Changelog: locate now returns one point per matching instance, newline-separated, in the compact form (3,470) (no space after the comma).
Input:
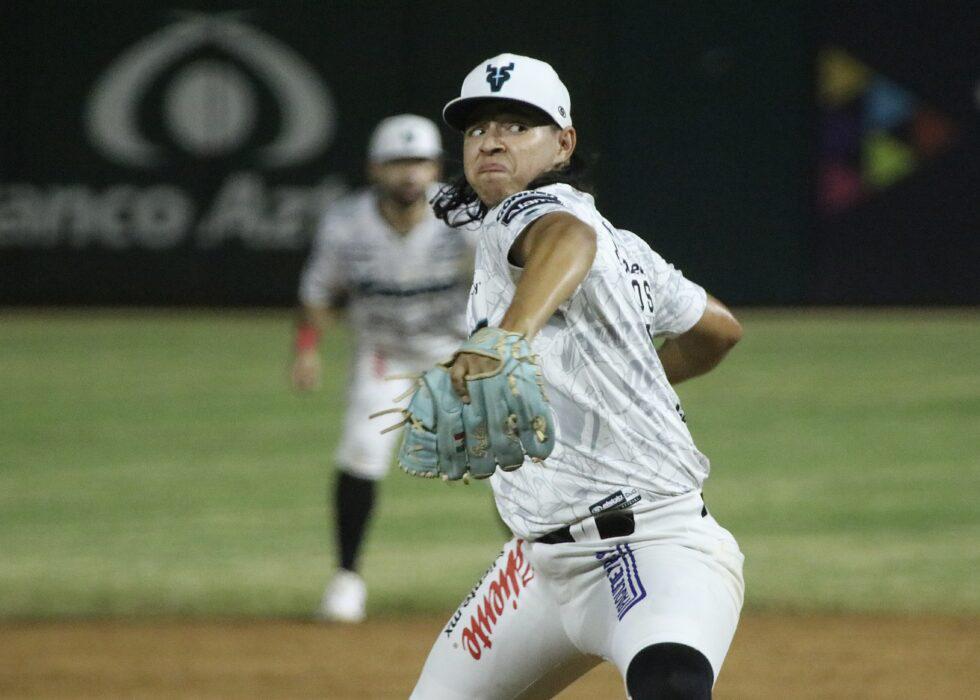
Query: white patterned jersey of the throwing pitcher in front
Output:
(621,437)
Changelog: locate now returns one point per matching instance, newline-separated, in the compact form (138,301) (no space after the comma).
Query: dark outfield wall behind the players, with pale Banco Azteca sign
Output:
(153,154)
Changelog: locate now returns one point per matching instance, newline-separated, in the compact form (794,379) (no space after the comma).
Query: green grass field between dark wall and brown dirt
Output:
(156,463)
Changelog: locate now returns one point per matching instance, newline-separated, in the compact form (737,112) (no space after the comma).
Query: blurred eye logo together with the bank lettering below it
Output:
(211,90)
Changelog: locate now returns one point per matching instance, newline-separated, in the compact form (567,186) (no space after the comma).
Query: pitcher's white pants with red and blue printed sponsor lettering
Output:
(546,613)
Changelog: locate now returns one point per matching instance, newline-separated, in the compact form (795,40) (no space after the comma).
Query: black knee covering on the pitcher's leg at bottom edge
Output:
(669,672)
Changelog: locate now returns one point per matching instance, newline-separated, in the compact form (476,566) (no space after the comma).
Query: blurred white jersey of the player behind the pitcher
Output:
(406,293)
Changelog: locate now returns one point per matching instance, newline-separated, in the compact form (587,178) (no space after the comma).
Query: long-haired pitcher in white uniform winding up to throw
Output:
(616,556)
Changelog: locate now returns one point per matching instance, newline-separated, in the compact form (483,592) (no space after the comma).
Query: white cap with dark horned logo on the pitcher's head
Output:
(511,77)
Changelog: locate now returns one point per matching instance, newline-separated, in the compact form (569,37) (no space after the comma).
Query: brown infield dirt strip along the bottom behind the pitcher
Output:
(773,656)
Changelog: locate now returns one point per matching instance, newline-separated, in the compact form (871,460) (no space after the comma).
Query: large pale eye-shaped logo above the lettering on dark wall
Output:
(210,106)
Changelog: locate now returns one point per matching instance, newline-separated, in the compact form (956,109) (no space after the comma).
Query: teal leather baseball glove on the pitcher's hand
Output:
(507,418)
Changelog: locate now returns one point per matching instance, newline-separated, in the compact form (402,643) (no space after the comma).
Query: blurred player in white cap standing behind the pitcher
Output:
(404,275)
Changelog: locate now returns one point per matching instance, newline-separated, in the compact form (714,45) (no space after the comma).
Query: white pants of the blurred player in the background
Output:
(363,451)
